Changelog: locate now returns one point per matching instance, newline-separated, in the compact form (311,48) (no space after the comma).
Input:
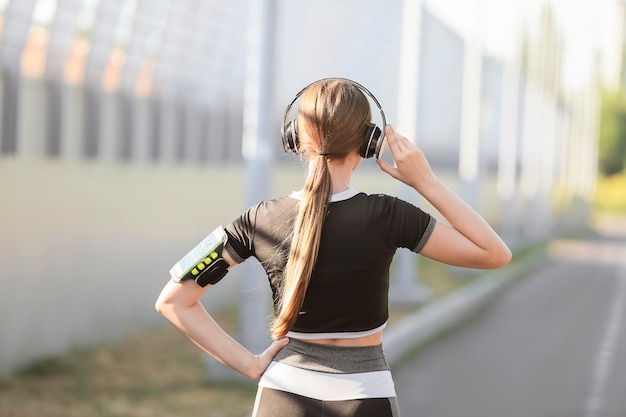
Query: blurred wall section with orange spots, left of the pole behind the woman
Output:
(121,79)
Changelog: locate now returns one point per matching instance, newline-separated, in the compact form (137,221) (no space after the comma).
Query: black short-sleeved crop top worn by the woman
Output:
(348,288)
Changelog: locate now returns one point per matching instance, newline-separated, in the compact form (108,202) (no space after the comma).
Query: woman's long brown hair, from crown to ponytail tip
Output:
(332,121)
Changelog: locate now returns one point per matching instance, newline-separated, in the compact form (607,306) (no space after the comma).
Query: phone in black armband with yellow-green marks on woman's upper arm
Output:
(204,263)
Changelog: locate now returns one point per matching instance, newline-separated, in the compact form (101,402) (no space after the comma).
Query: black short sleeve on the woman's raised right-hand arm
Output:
(410,226)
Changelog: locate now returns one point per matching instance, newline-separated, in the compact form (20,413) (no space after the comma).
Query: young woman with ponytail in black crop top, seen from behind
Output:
(327,250)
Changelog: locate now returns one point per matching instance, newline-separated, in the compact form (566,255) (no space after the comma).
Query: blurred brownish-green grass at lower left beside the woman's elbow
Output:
(150,373)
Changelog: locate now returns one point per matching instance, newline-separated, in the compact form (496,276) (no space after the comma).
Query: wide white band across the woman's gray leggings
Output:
(326,386)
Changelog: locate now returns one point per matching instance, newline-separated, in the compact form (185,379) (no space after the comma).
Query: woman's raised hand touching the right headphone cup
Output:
(411,166)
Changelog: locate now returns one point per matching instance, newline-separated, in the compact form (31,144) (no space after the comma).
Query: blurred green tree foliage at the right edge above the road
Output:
(612,151)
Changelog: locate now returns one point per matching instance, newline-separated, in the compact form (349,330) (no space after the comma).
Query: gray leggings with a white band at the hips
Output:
(279,396)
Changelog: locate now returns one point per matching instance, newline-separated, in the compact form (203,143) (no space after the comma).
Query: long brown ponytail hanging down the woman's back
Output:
(304,246)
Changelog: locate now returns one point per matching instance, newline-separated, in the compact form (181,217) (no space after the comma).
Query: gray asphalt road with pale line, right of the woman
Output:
(553,345)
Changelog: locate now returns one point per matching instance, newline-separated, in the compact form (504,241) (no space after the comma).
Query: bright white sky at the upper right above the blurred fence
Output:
(586,25)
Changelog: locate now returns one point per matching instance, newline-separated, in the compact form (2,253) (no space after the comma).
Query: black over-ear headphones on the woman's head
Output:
(374,136)
